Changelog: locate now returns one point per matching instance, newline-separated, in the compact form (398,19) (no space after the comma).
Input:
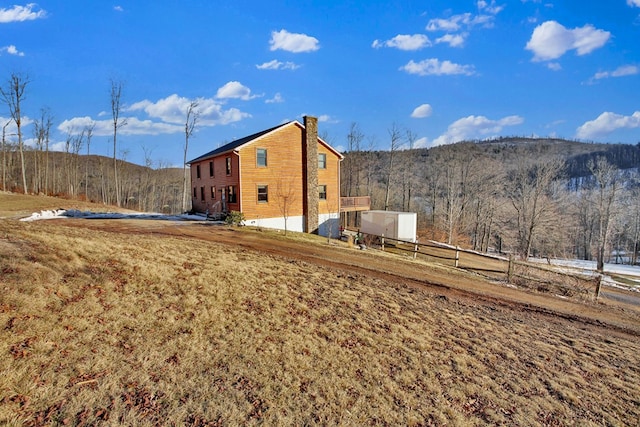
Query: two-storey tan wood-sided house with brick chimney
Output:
(283,177)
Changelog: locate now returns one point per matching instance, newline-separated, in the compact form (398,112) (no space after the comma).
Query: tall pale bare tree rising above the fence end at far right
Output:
(607,187)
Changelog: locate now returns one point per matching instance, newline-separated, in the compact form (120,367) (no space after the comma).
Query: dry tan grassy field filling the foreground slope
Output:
(105,328)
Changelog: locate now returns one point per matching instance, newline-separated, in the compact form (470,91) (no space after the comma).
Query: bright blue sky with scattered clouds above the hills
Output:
(445,70)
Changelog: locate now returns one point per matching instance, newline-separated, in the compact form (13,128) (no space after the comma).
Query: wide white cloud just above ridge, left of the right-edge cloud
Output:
(475,127)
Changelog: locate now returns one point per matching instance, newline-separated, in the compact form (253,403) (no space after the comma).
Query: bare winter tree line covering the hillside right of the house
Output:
(525,196)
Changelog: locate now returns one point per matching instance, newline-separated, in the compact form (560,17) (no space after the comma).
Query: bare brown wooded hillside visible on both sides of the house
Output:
(541,197)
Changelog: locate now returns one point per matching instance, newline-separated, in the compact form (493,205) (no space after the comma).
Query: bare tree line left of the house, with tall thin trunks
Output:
(75,172)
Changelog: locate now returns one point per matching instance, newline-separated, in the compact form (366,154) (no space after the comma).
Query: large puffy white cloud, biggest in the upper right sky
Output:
(550,40)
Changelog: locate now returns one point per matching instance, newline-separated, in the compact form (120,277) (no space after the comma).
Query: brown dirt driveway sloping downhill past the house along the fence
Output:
(615,311)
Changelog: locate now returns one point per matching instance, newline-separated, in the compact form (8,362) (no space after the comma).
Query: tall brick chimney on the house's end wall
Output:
(311,203)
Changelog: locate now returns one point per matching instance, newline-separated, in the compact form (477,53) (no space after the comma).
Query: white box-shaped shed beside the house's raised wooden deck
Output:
(394,225)
